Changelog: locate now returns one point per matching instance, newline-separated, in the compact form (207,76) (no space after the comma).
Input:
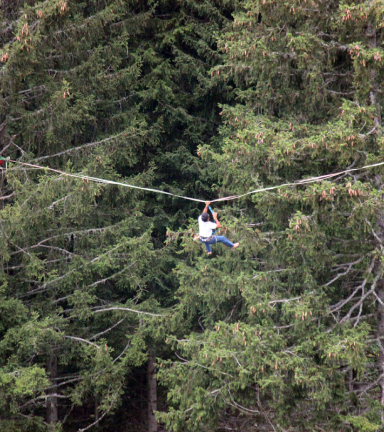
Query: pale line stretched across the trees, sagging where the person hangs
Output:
(228,198)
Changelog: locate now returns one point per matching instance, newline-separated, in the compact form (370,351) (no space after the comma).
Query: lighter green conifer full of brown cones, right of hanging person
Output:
(287,334)
